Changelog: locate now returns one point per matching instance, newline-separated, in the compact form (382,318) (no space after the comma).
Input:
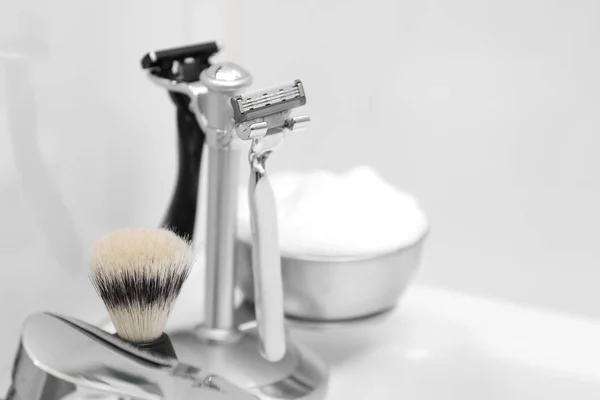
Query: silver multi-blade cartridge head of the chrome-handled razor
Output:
(260,104)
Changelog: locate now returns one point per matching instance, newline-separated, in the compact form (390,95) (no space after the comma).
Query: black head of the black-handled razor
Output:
(180,63)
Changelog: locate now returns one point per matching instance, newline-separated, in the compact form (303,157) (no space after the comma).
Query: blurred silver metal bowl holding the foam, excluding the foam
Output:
(342,289)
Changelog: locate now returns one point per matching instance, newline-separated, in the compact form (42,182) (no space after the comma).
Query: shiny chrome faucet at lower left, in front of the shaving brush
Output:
(58,355)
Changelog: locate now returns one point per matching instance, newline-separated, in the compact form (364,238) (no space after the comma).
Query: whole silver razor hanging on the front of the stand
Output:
(264,117)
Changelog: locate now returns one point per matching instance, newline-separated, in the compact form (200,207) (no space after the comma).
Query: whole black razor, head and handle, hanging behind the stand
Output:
(189,61)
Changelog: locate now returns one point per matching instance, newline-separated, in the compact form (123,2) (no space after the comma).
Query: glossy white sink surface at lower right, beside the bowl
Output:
(443,345)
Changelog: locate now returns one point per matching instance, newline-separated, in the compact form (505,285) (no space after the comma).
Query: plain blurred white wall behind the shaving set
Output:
(486,110)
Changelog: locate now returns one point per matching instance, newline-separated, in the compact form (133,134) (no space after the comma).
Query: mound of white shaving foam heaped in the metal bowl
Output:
(324,214)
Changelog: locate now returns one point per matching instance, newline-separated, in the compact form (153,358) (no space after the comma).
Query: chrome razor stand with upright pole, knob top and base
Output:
(227,342)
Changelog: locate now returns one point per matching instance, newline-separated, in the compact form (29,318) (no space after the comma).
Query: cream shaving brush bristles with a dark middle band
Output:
(138,274)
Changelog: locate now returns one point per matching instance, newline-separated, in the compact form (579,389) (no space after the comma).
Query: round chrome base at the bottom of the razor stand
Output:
(299,375)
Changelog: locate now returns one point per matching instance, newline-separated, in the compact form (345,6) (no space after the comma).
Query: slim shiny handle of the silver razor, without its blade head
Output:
(266,261)
